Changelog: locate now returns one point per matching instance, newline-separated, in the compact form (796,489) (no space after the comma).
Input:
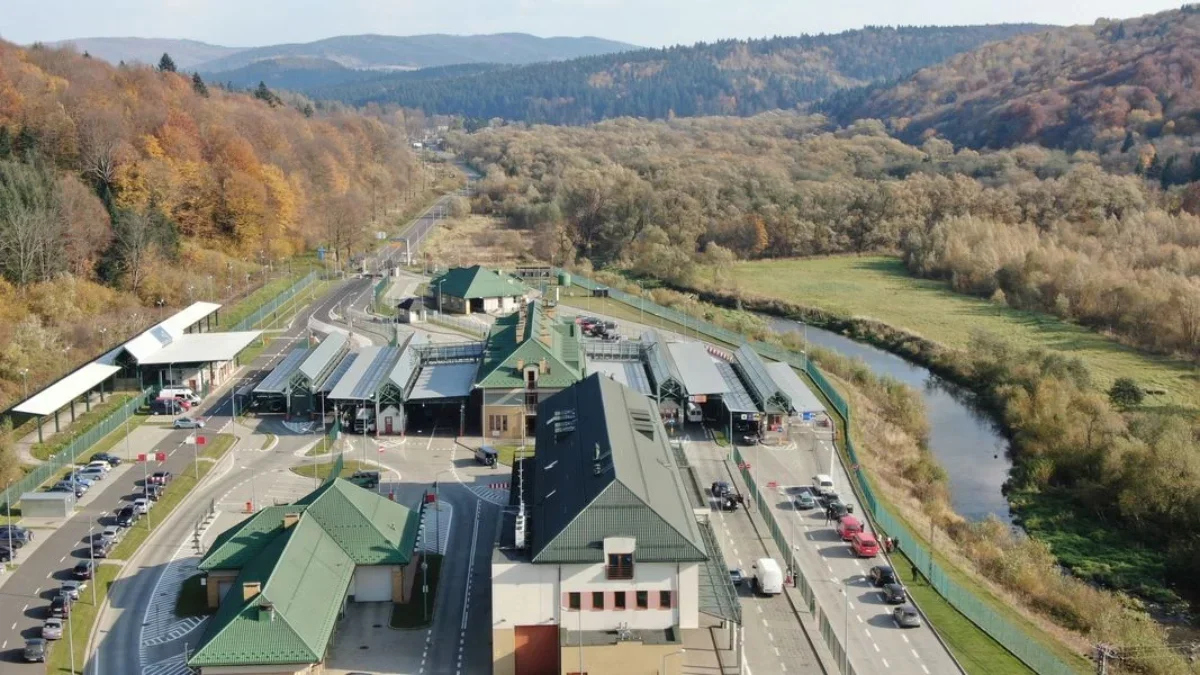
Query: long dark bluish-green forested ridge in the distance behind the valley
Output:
(723,79)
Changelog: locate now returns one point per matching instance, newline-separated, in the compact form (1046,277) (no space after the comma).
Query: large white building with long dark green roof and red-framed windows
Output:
(609,551)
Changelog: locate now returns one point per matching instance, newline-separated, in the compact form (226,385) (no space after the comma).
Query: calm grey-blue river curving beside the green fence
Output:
(964,440)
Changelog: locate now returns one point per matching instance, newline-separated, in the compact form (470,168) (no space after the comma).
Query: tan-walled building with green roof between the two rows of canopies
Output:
(529,356)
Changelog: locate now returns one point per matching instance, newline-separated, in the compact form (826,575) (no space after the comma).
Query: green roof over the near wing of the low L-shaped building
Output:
(304,576)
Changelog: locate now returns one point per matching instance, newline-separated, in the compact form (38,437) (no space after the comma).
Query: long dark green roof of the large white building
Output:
(605,469)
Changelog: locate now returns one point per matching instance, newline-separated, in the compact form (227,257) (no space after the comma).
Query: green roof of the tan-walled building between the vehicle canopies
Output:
(543,336)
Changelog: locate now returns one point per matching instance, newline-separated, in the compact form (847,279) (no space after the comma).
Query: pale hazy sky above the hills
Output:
(649,23)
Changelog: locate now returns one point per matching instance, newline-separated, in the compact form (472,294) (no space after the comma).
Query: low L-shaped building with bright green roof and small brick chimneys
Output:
(280,580)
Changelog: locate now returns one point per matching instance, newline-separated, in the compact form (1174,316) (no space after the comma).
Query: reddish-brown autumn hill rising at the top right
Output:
(1109,87)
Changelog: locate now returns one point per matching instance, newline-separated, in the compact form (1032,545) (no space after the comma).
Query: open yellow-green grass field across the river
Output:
(880,288)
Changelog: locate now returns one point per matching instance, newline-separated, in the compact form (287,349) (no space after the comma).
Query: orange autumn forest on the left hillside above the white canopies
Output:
(127,192)
